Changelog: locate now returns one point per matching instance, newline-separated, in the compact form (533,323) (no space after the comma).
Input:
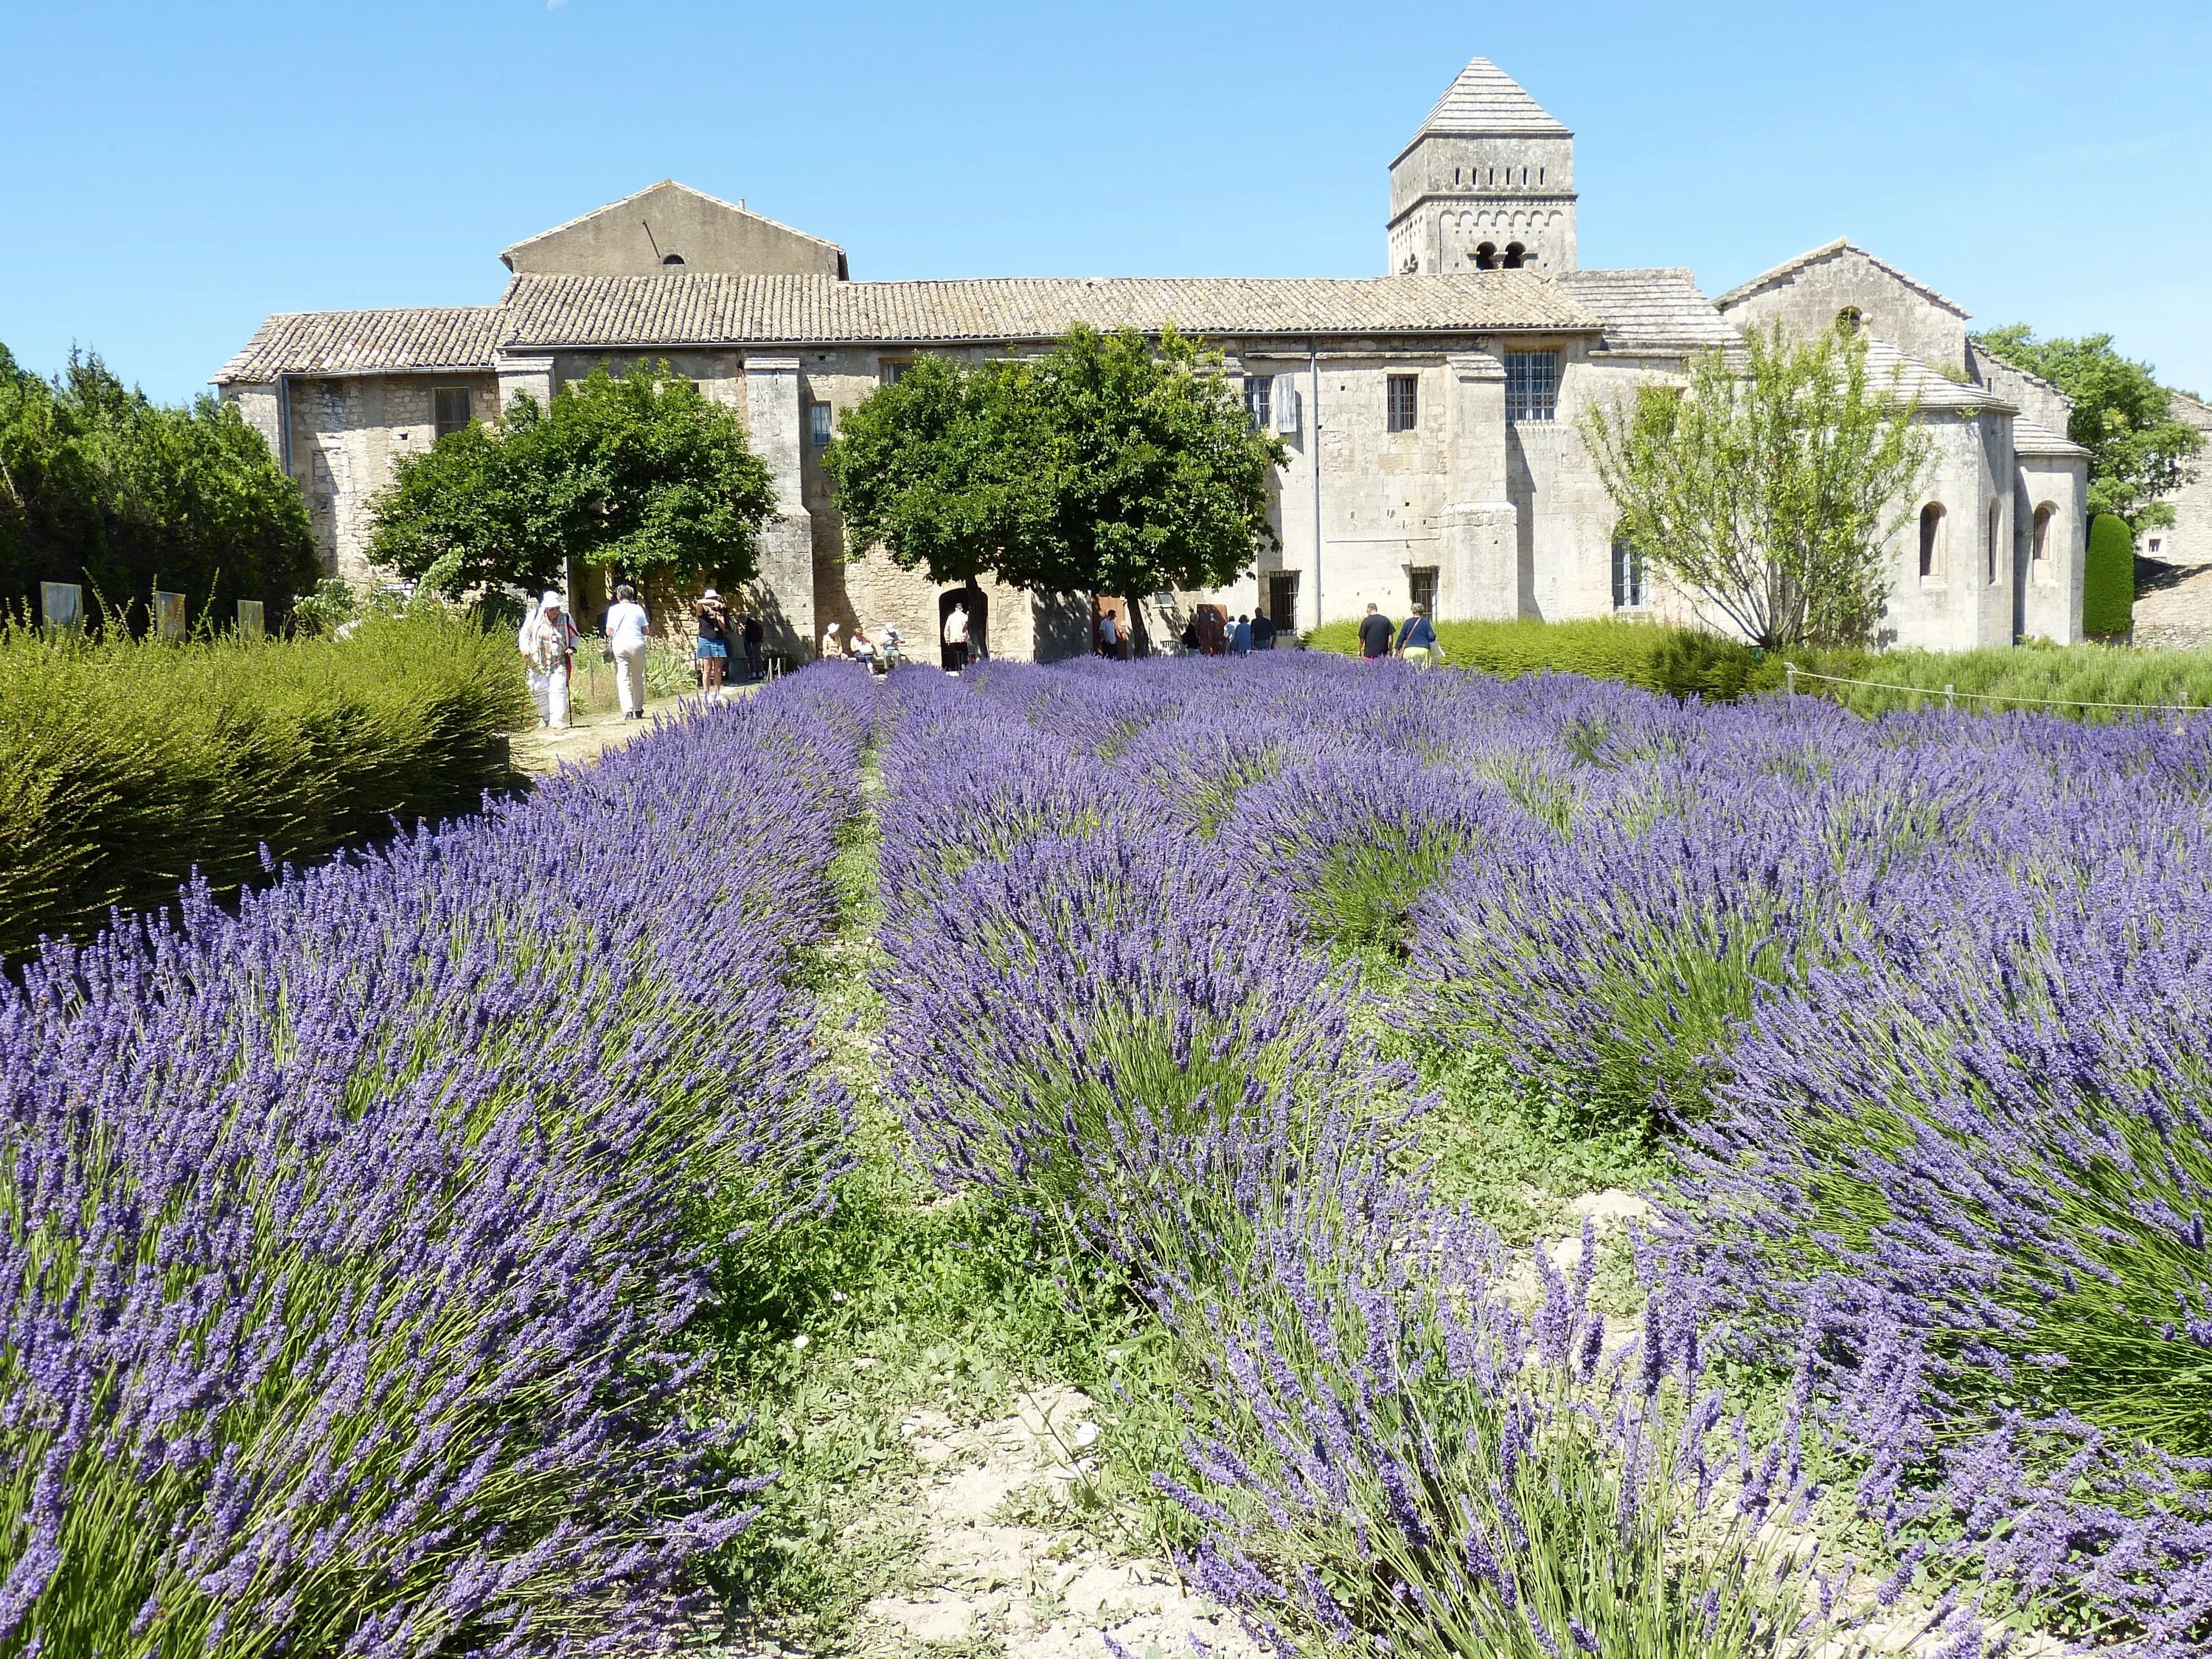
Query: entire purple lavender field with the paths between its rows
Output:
(1510,1169)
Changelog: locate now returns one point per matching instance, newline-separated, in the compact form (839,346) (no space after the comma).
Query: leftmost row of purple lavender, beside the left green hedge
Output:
(351,1242)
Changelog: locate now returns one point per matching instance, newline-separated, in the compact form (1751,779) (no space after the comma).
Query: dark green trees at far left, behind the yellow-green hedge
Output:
(123,497)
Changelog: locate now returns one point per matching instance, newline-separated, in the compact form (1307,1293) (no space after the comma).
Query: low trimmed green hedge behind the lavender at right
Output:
(1687,662)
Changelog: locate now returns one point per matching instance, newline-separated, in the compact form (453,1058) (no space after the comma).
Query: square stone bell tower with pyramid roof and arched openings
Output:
(1485,185)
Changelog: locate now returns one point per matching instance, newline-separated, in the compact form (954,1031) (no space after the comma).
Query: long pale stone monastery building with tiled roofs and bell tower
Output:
(1430,415)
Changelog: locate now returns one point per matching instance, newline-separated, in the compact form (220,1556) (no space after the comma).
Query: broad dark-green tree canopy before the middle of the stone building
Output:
(1107,466)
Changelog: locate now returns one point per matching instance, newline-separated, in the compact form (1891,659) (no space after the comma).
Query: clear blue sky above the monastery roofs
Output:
(176,171)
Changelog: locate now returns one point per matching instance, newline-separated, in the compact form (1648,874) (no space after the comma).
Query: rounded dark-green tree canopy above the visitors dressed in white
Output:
(634,472)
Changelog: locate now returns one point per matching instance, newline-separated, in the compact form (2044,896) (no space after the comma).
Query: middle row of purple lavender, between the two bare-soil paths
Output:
(1103,1008)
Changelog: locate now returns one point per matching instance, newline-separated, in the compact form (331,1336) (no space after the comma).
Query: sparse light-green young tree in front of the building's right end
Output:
(1768,490)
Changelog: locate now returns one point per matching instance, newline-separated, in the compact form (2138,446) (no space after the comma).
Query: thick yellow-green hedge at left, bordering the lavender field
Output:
(125,764)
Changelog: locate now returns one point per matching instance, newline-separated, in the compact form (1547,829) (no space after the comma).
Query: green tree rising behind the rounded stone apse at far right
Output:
(2120,415)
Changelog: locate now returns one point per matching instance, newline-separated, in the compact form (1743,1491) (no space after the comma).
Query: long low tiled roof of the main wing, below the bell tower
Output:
(804,311)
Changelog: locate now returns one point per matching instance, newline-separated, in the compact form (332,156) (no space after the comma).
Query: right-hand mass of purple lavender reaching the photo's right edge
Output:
(1926,1003)
